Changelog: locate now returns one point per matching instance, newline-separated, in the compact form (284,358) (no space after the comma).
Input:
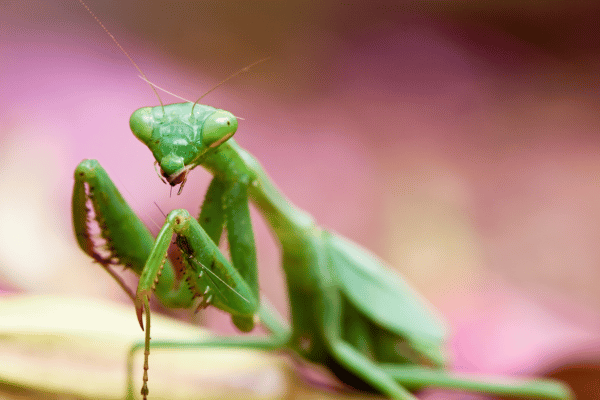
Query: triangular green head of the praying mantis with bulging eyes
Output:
(180,135)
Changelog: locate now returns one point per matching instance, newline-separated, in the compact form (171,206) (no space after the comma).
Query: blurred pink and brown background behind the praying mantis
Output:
(459,141)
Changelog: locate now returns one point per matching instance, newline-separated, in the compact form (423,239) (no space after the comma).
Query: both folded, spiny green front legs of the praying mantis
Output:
(121,238)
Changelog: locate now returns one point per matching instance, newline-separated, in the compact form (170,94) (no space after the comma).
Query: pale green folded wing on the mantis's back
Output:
(382,295)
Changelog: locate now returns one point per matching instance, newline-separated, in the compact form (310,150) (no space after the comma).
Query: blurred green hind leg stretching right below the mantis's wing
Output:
(355,366)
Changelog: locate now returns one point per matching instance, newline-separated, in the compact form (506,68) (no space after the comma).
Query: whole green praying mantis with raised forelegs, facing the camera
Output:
(349,312)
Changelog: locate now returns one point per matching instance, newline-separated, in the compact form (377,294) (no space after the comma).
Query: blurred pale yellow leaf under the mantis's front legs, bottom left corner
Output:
(59,347)
